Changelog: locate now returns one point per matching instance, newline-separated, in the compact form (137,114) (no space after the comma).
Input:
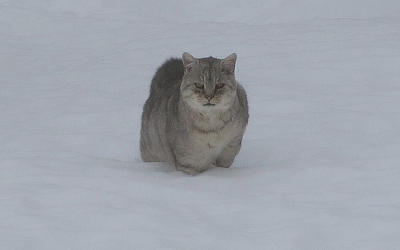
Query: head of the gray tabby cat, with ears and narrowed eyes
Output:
(209,83)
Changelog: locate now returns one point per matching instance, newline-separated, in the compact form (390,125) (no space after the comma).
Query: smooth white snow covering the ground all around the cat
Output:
(319,166)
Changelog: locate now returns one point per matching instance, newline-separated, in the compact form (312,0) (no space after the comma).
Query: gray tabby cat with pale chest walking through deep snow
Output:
(196,114)
